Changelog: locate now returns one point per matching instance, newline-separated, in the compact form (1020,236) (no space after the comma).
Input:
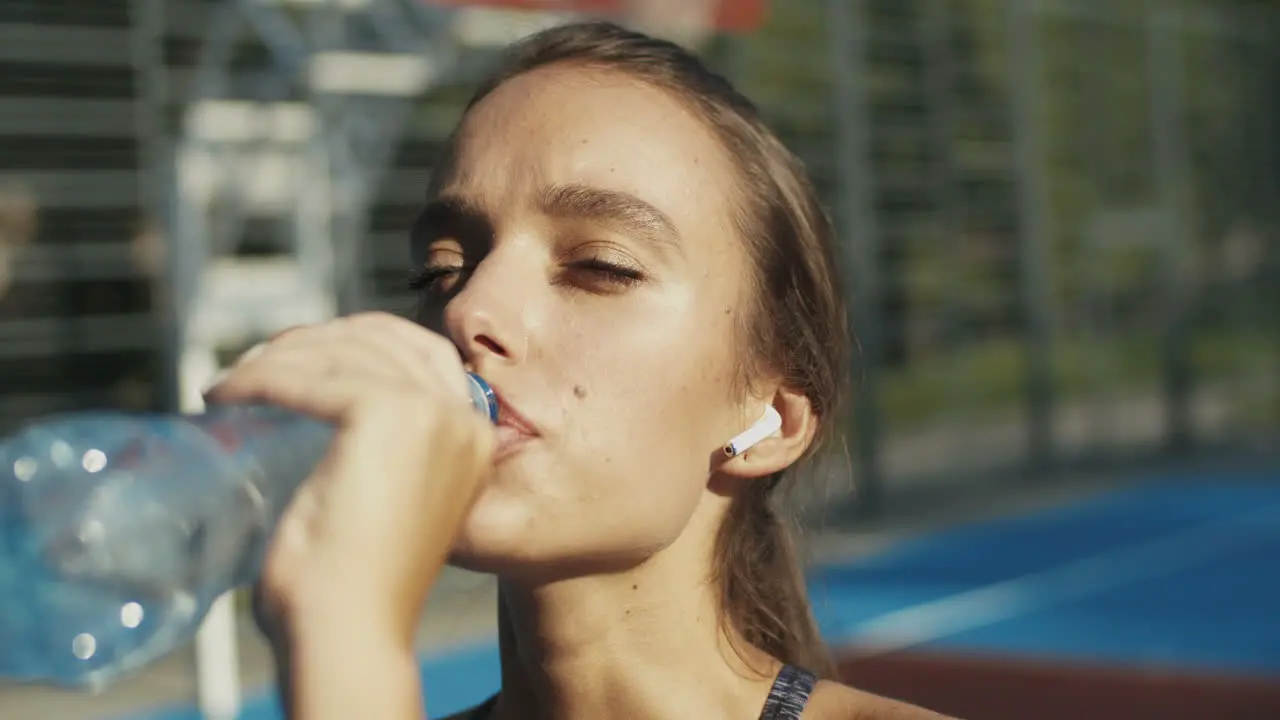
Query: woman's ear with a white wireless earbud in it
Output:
(781,446)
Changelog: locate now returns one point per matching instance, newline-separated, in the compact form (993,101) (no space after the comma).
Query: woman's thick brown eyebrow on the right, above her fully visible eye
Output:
(624,211)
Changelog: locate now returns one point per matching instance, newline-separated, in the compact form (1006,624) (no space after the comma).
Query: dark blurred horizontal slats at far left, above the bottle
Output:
(76,322)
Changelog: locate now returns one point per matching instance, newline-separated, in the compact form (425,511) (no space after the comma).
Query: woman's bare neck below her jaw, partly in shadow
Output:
(643,644)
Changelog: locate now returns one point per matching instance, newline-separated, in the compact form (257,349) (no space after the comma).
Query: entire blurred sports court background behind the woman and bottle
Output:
(1059,493)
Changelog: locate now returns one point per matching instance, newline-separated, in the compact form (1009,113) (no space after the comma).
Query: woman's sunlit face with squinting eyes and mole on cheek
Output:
(584,261)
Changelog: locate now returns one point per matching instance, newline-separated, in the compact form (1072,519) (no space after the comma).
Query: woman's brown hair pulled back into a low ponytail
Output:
(794,329)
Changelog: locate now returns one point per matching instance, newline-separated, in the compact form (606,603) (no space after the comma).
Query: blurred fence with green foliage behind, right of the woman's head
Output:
(1059,222)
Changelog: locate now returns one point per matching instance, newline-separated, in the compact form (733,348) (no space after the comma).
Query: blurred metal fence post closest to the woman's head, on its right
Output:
(858,227)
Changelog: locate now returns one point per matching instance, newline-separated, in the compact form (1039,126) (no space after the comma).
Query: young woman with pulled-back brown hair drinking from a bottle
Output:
(643,272)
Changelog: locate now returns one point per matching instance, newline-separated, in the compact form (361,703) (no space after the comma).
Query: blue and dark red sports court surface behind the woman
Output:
(1160,600)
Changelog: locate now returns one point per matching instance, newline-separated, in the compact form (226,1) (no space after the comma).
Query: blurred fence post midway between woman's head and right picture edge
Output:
(1034,238)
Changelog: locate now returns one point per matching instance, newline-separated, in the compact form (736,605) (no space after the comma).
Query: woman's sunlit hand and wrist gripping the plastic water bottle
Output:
(368,534)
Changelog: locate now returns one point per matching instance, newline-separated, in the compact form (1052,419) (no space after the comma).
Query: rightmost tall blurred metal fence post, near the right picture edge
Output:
(1169,157)
